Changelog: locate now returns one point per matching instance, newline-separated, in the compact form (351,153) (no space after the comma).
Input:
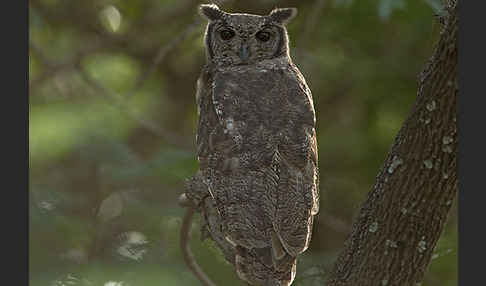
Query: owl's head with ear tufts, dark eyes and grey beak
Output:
(243,39)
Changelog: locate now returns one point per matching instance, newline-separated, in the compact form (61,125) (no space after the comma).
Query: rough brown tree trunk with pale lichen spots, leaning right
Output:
(394,235)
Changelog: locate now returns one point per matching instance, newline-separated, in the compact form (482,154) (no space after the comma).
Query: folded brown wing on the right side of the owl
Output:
(297,195)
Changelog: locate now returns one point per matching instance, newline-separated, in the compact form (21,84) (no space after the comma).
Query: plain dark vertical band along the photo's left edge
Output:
(15,116)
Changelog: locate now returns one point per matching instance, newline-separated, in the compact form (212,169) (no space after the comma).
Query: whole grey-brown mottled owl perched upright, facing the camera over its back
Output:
(256,145)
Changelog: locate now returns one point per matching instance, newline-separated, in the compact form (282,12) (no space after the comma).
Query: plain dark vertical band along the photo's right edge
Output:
(470,212)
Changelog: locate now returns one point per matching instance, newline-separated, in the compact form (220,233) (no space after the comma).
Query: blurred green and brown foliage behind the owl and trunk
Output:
(112,119)
